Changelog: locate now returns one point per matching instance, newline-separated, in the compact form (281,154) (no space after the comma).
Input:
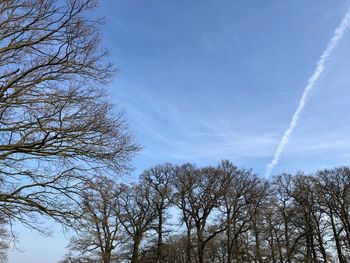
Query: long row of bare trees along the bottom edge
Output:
(219,214)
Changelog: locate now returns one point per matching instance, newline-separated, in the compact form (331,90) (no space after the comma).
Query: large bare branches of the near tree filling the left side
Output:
(56,124)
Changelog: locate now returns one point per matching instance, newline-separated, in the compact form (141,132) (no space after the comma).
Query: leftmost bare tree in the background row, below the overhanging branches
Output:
(98,230)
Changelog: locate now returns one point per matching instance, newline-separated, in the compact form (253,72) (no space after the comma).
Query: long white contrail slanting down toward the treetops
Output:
(320,67)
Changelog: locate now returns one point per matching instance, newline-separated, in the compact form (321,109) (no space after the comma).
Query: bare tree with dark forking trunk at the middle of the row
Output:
(198,196)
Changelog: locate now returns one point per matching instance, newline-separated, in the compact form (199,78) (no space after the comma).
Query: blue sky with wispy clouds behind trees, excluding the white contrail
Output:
(202,81)
